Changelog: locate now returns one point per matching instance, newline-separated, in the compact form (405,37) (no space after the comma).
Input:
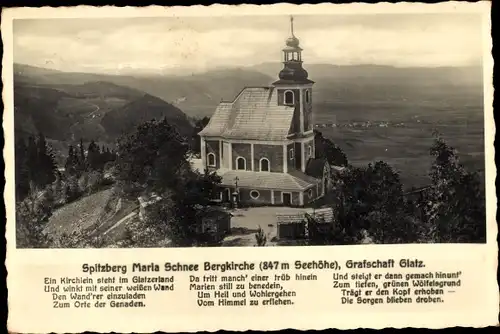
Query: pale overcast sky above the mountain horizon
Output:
(170,44)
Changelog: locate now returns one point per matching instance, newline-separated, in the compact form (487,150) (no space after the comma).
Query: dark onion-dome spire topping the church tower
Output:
(292,71)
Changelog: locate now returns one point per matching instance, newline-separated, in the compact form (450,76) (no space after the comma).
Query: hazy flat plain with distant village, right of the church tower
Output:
(406,141)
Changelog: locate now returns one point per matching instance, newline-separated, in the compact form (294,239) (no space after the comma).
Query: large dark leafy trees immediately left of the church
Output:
(153,159)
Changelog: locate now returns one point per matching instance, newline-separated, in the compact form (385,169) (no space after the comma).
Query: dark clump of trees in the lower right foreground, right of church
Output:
(369,202)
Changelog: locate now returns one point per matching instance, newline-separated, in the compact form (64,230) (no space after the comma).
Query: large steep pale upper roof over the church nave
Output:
(254,114)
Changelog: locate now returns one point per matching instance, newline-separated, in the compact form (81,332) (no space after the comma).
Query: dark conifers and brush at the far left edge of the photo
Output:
(42,186)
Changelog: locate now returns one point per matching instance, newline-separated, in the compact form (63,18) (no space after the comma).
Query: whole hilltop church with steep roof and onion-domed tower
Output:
(262,142)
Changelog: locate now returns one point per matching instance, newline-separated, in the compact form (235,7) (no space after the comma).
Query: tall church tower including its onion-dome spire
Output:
(295,89)
